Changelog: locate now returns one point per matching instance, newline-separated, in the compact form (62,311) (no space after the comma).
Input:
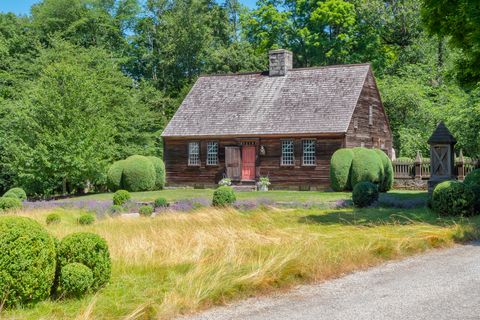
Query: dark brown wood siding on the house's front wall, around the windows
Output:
(316,177)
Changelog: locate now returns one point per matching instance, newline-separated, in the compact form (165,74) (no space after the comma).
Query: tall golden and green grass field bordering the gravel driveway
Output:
(184,262)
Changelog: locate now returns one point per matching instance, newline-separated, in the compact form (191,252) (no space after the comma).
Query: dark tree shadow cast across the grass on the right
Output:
(371,217)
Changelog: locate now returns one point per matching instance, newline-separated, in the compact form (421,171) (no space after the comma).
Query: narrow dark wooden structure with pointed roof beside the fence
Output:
(442,156)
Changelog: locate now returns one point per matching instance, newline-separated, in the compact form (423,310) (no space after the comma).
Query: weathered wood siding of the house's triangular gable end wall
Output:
(360,132)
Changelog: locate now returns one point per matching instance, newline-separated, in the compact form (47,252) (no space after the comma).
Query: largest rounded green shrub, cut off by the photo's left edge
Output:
(27,262)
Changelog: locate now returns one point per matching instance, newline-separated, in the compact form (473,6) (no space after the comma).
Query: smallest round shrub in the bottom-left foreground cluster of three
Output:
(75,280)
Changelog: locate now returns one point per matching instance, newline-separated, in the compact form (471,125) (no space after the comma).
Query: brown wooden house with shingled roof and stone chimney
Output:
(285,124)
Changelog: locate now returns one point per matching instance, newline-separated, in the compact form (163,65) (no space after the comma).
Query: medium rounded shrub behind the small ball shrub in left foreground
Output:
(89,249)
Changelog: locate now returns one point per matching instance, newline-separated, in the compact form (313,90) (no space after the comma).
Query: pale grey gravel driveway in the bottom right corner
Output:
(442,284)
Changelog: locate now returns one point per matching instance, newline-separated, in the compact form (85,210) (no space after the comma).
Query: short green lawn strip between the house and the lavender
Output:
(274,195)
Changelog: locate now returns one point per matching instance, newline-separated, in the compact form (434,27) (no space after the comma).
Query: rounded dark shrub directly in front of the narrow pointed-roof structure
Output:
(453,198)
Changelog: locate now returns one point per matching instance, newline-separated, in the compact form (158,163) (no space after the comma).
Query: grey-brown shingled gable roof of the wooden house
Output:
(304,101)
